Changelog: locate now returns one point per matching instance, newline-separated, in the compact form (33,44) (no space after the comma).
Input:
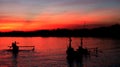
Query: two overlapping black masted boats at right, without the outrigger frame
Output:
(72,54)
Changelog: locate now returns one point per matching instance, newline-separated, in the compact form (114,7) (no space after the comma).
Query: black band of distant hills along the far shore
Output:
(110,31)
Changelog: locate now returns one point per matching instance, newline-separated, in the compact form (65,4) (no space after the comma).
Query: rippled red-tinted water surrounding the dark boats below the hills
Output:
(51,52)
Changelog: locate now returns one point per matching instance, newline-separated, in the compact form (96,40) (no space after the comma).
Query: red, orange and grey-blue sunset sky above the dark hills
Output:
(28,15)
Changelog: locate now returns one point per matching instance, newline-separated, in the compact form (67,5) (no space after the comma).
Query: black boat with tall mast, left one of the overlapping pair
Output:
(70,51)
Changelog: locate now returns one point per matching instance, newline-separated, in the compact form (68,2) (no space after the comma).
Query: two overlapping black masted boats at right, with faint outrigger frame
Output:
(80,52)
